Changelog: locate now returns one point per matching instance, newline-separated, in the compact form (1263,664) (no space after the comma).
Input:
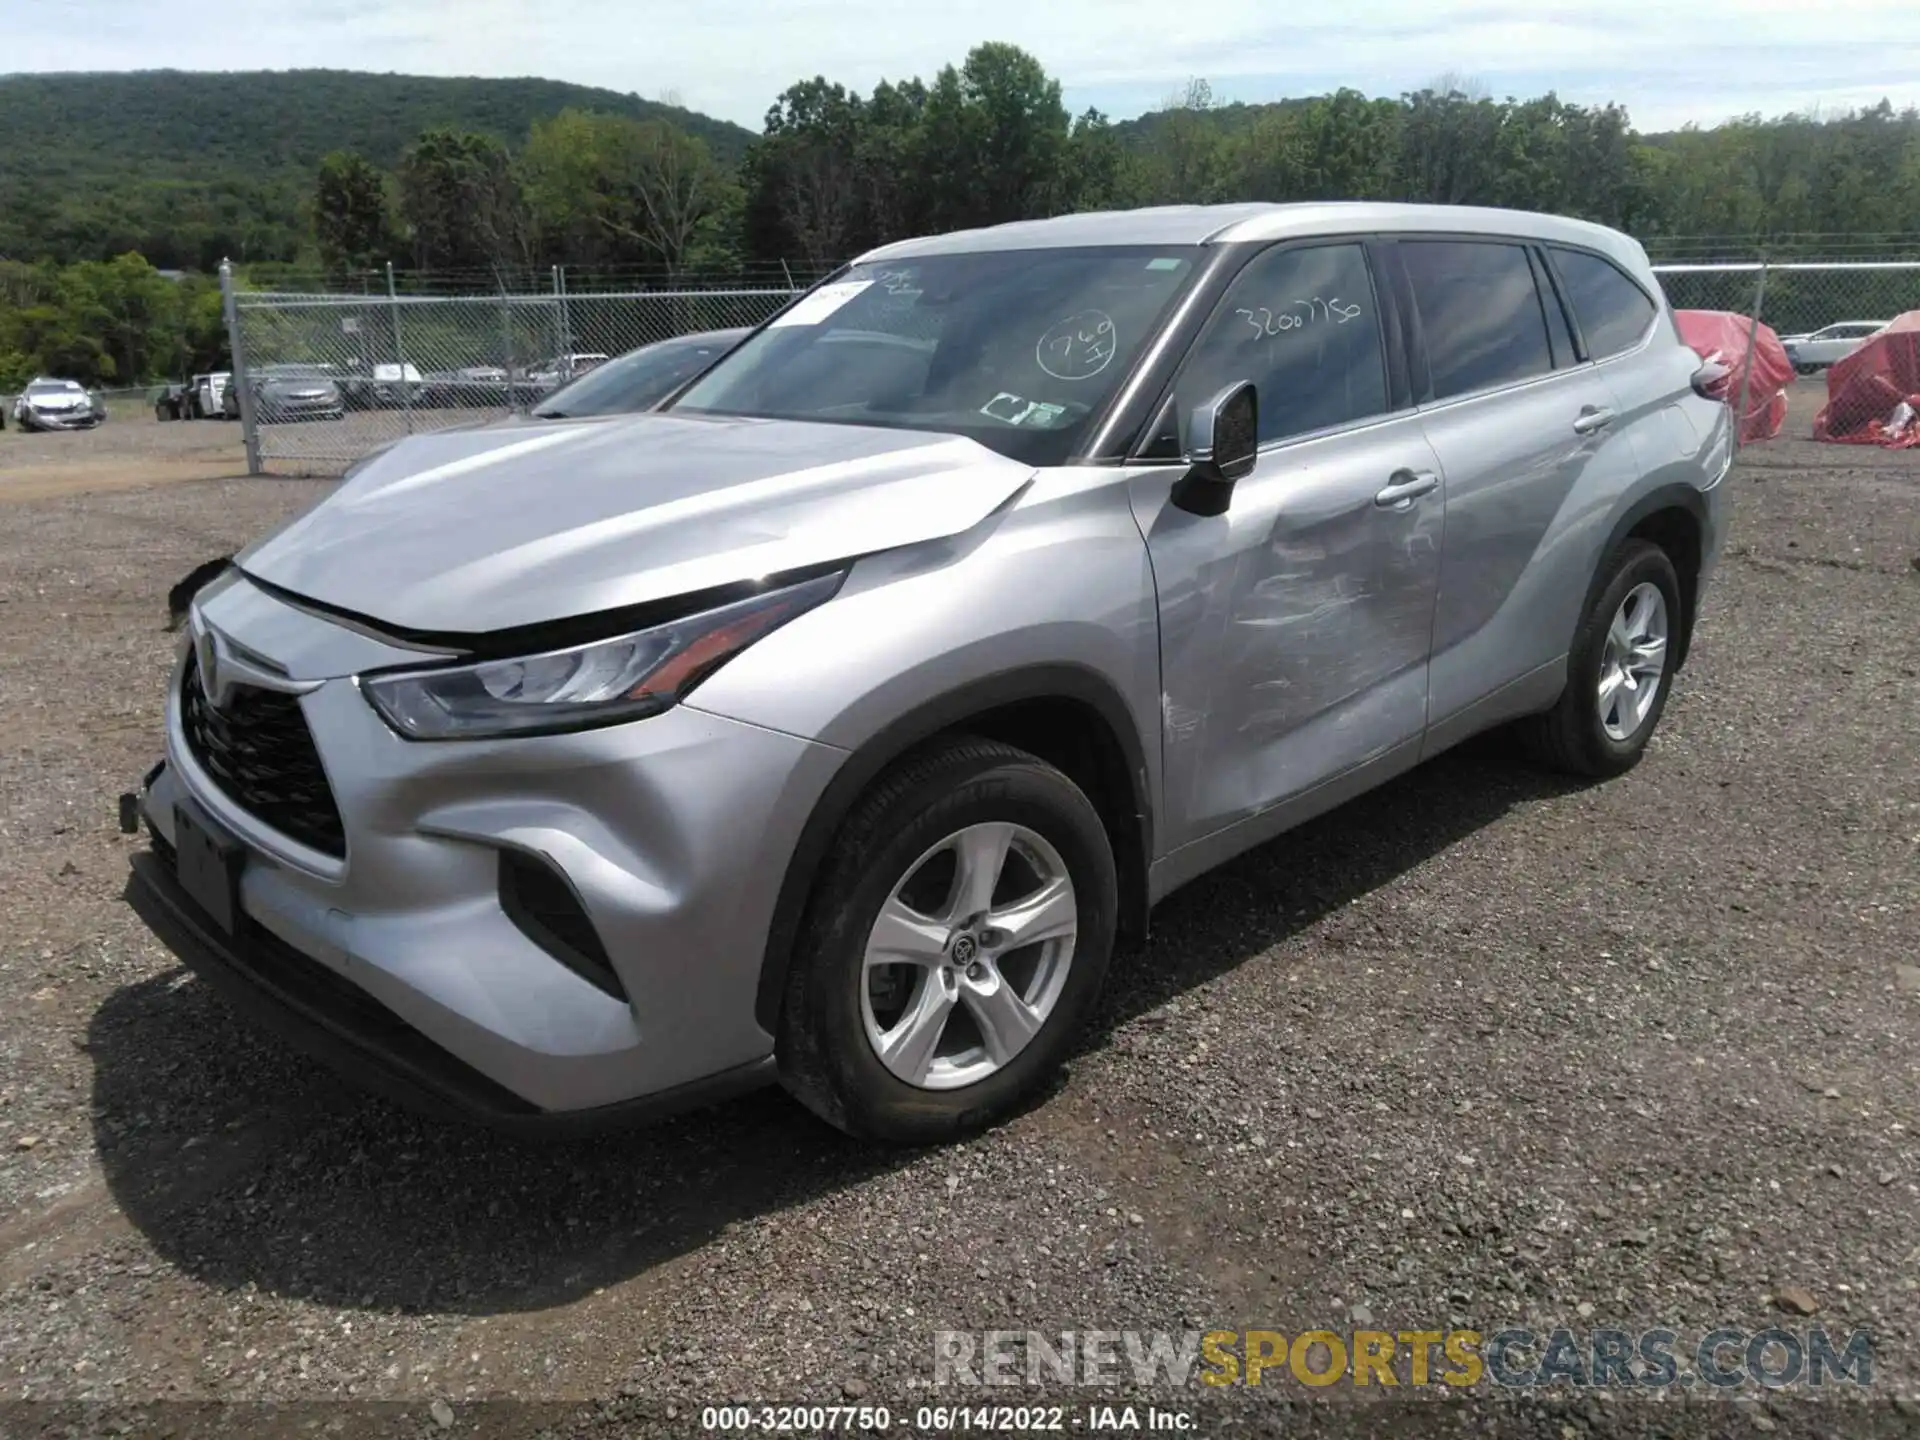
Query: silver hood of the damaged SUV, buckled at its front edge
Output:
(475,531)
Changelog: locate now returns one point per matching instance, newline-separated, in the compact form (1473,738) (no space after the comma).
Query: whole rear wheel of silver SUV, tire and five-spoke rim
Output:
(1620,671)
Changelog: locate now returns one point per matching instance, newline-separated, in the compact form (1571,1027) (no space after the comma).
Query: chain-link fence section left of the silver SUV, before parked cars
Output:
(324,379)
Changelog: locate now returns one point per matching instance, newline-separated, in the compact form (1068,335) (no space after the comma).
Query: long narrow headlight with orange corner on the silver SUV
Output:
(600,684)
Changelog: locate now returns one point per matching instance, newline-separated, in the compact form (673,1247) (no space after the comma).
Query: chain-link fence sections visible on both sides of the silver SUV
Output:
(335,375)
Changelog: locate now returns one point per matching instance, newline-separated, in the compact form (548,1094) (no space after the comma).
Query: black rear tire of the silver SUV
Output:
(1575,736)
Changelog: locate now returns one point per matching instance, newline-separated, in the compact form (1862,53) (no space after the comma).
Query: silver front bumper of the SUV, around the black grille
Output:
(398,961)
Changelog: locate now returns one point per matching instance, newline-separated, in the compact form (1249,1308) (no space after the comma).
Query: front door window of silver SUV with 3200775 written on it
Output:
(1305,327)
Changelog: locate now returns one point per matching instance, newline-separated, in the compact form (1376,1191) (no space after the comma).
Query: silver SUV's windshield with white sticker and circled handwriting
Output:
(1013,348)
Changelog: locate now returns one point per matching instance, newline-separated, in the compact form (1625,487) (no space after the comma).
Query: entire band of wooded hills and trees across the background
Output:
(322,178)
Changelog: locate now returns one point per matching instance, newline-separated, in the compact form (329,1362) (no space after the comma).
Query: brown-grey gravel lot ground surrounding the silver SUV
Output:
(1481,1049)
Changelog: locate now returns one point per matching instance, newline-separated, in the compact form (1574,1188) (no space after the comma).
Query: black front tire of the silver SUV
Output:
(894,840)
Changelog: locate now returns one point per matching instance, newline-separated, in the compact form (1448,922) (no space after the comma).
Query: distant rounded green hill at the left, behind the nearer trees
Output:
(195,166)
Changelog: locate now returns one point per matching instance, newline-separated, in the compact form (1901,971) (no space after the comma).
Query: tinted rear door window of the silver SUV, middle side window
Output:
(1481,314)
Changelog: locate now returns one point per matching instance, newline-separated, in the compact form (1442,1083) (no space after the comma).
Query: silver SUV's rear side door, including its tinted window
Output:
(1531,441)
